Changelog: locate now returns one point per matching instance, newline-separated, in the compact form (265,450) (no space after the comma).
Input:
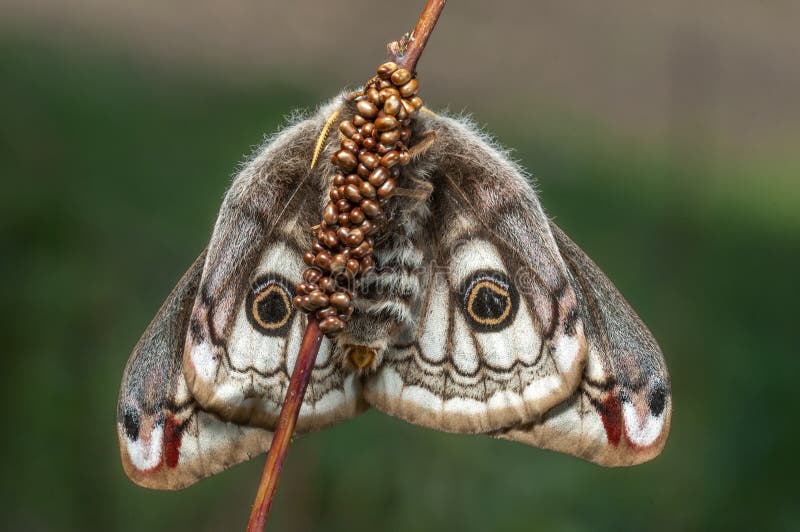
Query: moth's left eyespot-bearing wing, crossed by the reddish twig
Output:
(245,333)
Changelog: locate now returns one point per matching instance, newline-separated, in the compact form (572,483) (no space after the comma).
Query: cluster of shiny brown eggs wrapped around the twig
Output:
(372,151)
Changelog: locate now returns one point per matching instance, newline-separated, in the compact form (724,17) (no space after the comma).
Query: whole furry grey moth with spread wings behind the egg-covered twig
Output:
(482,317)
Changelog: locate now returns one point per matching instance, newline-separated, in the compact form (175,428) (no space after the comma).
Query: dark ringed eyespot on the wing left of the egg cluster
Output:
(269,305)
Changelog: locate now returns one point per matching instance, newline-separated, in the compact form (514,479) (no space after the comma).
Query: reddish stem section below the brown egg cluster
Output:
(286,423)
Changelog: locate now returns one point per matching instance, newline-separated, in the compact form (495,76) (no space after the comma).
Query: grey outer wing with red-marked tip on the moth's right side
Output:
(621,413)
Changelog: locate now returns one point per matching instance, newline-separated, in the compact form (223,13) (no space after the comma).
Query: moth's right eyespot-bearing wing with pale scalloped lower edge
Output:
(499,338)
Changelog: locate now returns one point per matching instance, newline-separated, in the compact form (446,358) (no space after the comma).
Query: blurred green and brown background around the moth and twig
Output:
(663,137)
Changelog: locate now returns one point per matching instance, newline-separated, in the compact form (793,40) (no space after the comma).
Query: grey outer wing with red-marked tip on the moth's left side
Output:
(166,441)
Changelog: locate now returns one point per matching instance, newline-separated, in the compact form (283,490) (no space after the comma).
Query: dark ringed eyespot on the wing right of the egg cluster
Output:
(489,300)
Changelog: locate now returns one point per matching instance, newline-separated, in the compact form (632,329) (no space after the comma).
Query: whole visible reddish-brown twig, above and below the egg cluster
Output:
(405,53)
